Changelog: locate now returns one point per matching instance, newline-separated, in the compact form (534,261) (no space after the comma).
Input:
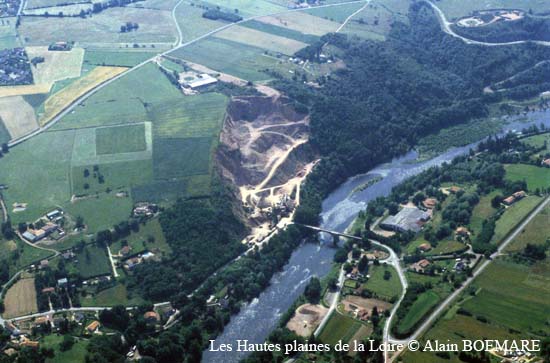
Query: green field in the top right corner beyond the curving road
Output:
(454,9)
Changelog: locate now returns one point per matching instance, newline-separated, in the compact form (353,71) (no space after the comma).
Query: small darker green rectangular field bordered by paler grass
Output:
(120,139)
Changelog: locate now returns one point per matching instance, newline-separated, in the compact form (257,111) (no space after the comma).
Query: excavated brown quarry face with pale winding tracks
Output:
(259,140)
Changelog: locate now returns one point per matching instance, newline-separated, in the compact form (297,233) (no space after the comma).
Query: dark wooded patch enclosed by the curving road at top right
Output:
(527,28)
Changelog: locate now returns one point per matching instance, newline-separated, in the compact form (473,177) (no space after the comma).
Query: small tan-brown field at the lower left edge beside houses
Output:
(20,299)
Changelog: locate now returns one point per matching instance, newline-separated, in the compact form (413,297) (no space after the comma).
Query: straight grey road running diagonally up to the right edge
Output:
(445,304)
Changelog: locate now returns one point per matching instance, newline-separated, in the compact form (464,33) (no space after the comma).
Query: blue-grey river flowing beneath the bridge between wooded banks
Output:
(258,318)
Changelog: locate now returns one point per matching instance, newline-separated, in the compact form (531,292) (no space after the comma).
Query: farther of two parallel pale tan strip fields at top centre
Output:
(302,22)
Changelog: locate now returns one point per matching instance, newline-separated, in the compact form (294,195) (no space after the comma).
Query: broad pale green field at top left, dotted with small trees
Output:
(155,27)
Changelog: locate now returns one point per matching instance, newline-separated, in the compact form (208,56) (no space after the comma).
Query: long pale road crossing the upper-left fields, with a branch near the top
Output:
(180,45)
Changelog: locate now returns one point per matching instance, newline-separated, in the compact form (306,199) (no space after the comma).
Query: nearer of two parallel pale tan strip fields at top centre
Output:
(261,40)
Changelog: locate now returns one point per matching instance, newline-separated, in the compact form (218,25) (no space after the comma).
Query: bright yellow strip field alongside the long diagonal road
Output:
(62,99)
